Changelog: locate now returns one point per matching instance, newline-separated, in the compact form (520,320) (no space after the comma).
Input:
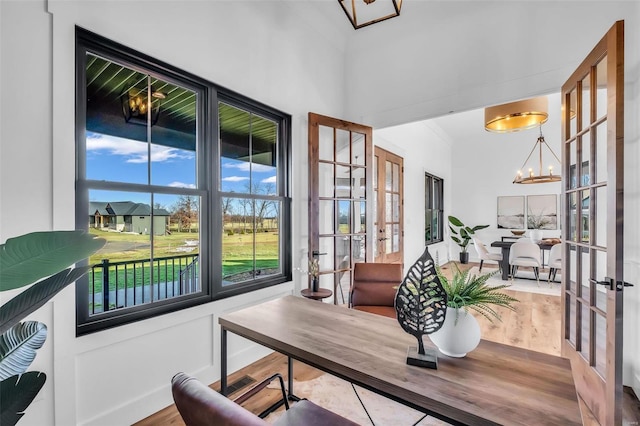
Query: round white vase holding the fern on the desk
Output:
(457,338)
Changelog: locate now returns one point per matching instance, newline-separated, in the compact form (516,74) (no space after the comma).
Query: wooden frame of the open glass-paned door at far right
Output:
(610,389)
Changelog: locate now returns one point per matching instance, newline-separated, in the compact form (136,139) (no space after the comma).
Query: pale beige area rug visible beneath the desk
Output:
(338,396)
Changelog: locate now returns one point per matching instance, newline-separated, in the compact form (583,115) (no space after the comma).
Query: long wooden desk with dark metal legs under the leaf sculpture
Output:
(494,384)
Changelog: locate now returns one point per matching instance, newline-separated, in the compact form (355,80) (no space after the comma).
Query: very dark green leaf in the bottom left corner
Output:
(16,393)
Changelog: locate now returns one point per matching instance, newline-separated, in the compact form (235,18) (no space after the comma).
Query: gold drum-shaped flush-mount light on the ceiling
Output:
(515,116)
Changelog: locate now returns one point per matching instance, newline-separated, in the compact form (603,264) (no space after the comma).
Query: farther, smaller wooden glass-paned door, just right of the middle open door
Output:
(388,171)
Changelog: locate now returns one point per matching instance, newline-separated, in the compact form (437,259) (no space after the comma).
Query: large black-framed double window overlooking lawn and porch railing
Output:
(185,180)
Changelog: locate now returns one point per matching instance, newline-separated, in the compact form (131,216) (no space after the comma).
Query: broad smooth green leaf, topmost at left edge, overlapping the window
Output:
(30,257)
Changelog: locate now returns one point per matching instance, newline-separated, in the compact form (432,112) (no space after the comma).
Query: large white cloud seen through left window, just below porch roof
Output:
(133,151)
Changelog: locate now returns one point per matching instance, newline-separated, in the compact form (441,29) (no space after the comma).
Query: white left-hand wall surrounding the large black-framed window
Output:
(270,51)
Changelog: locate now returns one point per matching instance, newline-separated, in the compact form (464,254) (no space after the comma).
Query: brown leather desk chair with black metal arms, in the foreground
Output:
(199,405)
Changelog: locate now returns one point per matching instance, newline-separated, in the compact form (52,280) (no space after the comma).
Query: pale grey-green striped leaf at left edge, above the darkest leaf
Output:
(18,347)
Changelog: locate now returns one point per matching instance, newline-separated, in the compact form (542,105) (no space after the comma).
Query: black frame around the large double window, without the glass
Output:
(208,159)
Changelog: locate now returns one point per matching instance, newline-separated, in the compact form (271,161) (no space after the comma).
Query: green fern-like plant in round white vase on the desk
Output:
(460,332)
